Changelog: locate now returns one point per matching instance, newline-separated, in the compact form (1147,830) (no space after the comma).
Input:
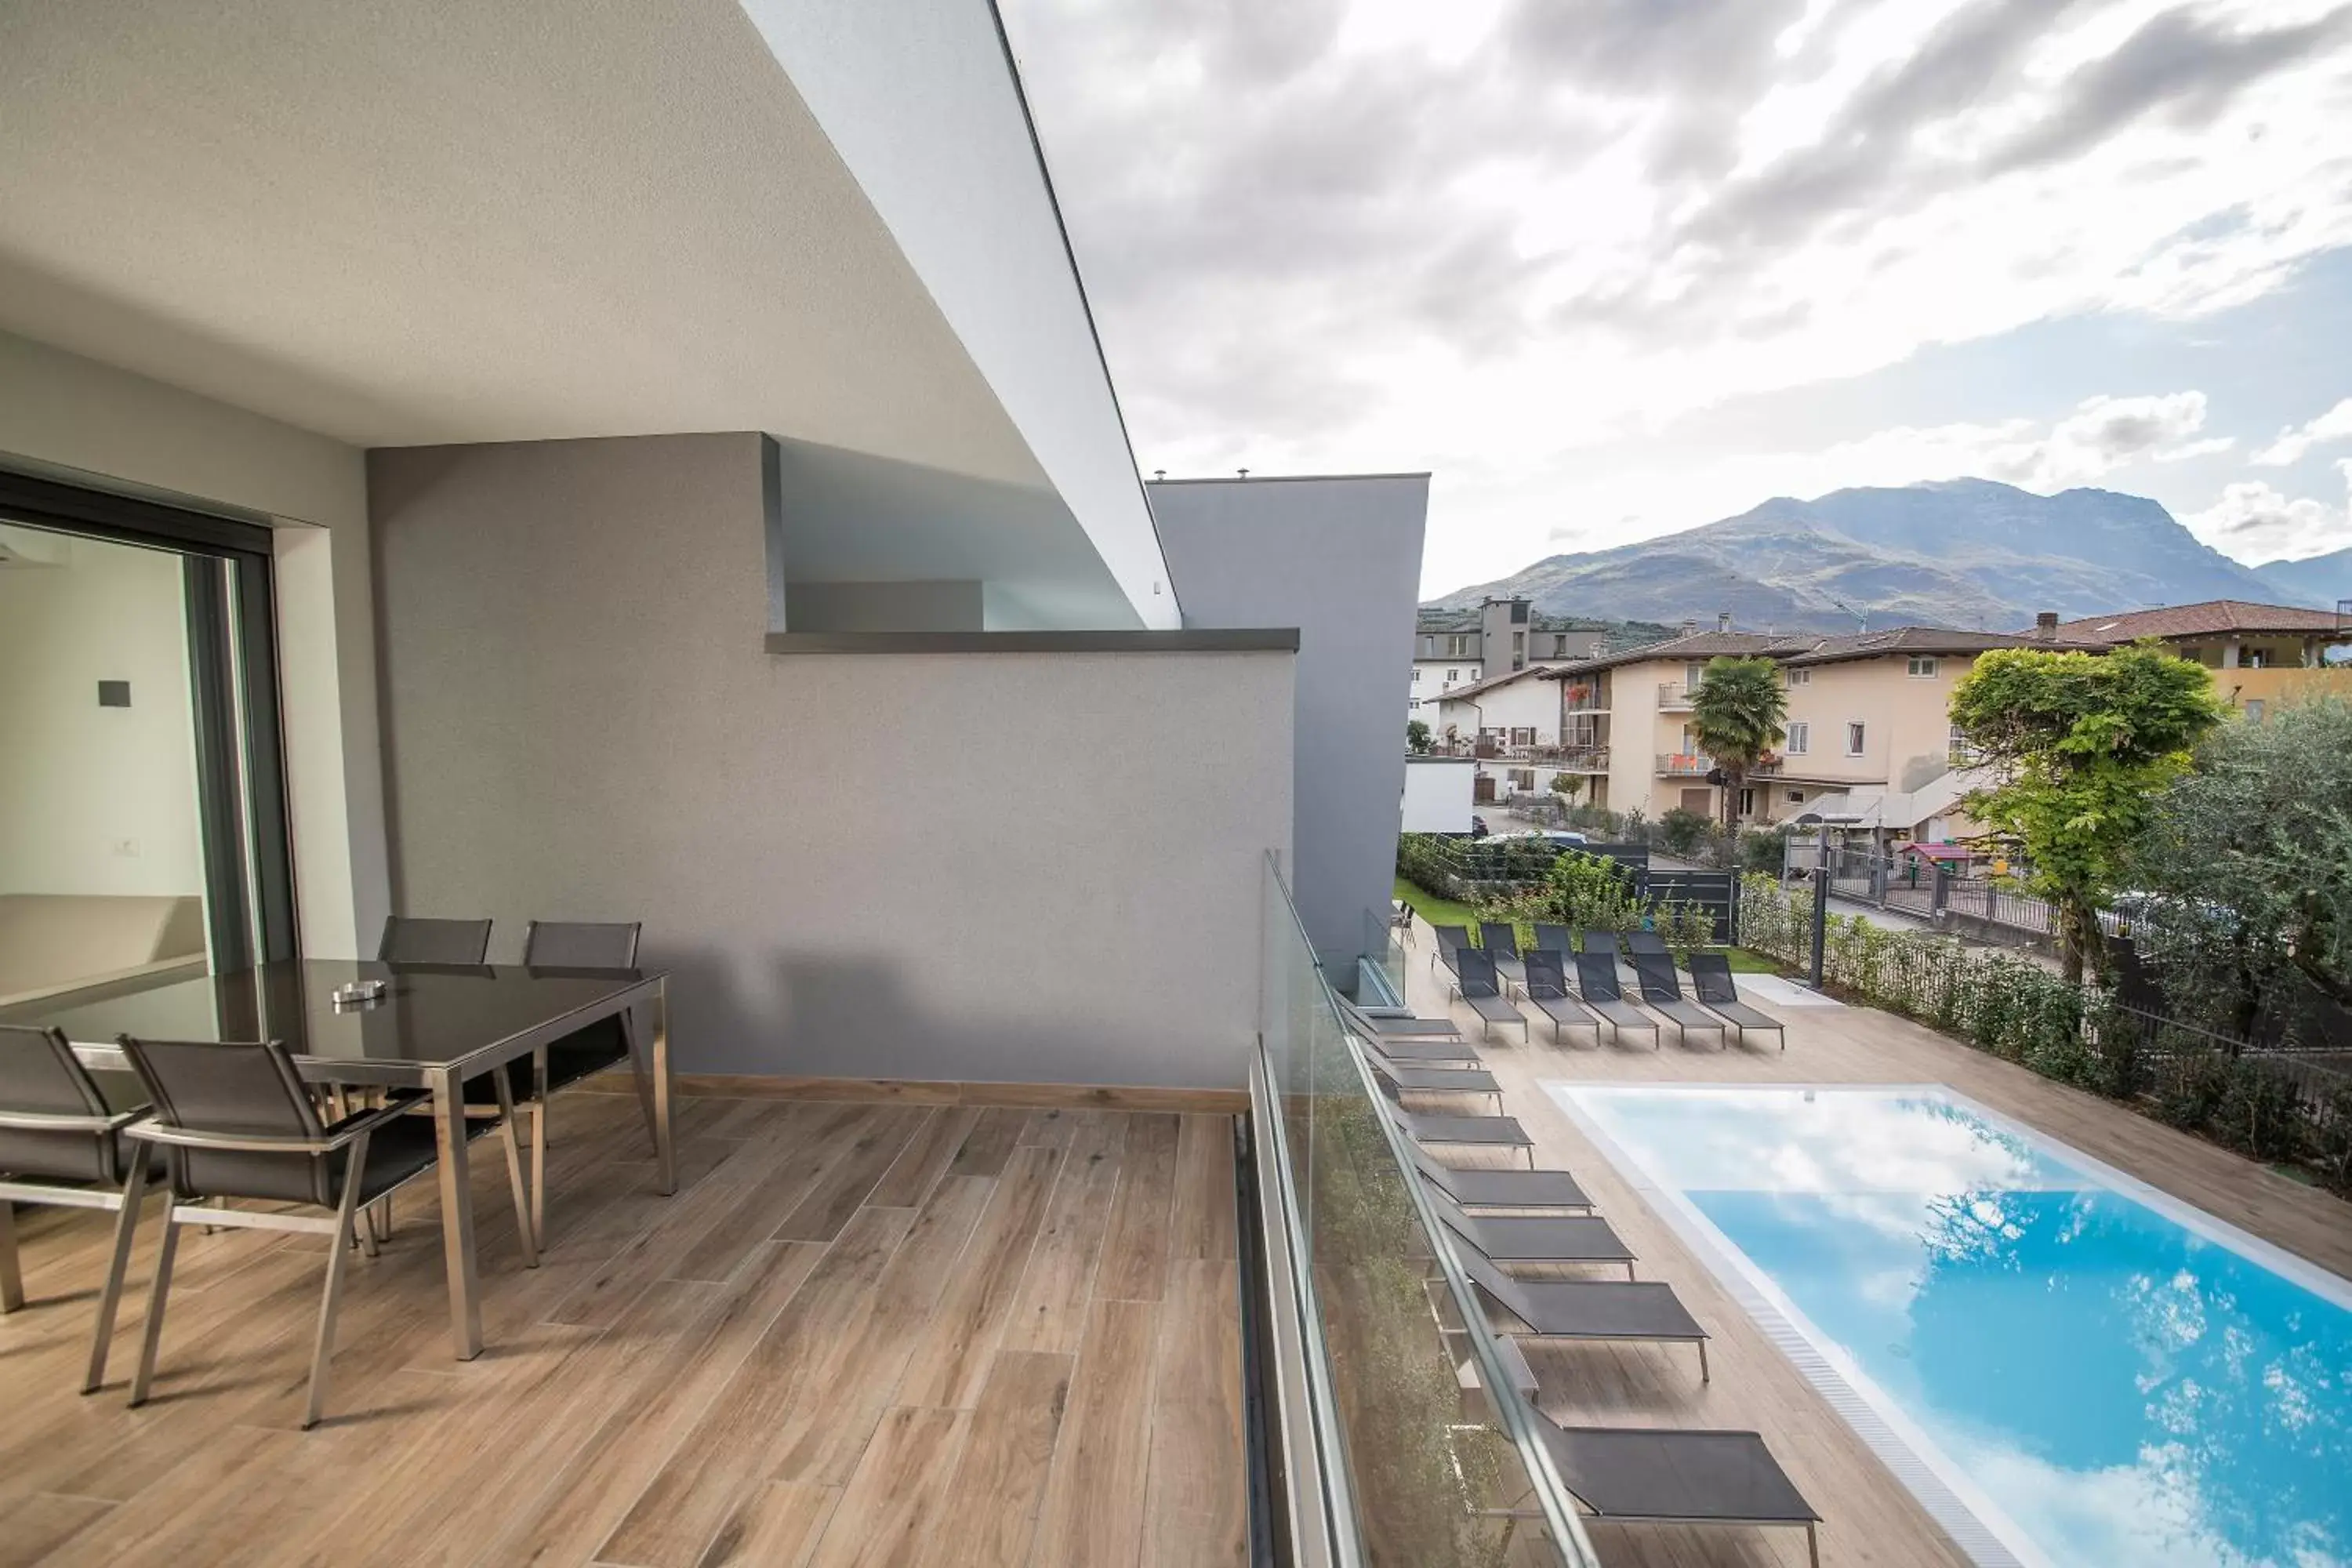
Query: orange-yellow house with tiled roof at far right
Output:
(2259,655)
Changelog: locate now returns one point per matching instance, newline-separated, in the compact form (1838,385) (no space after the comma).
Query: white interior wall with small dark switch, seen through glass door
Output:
(95,800)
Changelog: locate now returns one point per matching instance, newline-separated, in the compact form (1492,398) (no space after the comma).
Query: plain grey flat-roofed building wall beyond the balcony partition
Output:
(1342,561)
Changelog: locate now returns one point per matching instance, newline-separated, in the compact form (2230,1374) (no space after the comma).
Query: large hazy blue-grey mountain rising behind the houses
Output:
(1963,554)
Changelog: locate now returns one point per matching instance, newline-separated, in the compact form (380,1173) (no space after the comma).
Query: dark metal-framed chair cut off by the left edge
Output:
(65,1125)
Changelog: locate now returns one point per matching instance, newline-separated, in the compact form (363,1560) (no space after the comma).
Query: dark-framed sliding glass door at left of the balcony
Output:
(142,798)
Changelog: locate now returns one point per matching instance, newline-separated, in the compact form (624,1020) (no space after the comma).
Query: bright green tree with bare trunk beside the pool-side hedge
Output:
(2080,744)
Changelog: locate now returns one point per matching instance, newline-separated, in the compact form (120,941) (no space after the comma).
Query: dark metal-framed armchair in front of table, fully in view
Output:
(236,1123)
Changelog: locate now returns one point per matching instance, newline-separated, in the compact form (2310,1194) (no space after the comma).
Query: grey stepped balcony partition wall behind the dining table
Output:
(963,866)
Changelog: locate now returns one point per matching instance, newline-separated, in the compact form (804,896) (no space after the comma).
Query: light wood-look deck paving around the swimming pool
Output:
(1869,1515)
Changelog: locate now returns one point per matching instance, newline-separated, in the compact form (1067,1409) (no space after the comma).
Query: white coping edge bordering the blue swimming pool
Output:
(1977,1525)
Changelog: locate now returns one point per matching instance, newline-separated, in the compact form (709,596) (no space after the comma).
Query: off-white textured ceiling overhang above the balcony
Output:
(453,222)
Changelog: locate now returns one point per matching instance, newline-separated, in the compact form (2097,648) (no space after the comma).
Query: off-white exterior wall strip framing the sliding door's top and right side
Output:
(74,417)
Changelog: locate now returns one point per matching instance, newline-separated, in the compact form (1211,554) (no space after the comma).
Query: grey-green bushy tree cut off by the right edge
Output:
(2247,864)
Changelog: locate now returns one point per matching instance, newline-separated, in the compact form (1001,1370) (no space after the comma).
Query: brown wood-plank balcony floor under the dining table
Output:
(860,1334)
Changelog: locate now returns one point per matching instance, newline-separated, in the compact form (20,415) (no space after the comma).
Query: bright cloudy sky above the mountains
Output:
(1624,267)
